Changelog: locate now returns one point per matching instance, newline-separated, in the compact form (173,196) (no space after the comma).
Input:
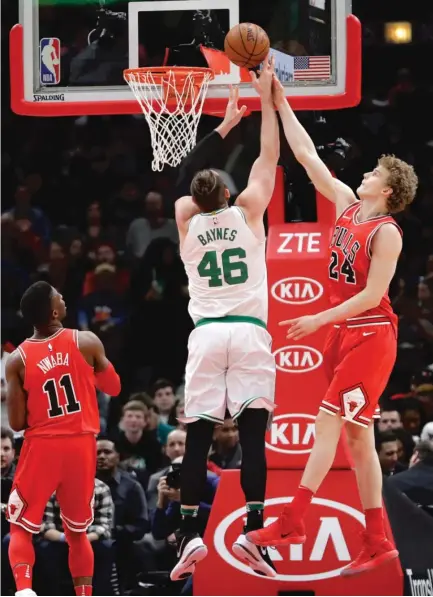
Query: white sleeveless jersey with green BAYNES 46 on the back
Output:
(226,267)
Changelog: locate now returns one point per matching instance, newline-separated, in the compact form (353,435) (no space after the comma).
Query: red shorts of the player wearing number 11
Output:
(65,465)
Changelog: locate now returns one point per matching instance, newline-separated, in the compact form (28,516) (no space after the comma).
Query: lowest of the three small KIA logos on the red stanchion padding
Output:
(292,433)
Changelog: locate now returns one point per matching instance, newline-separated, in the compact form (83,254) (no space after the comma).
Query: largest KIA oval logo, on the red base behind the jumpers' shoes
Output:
(332,531)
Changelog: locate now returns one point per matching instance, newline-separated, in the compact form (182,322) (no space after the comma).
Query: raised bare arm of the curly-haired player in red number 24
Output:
(305,152)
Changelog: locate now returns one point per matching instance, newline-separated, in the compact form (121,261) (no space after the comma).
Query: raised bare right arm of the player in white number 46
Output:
(256,197)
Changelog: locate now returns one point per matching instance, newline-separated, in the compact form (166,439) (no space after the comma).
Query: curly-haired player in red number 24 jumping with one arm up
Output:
(361,347)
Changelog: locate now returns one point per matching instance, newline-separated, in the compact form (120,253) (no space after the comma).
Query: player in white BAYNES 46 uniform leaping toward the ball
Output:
(230,362)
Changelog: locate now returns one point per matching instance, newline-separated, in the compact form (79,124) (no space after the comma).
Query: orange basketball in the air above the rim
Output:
(246,45)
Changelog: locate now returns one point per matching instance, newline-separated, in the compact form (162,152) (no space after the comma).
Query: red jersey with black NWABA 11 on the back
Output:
(60,386)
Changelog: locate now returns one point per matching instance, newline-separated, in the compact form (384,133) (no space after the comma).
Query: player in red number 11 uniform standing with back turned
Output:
(51,394)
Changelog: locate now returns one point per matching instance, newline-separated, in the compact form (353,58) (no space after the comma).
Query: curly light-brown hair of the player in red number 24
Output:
(402,180)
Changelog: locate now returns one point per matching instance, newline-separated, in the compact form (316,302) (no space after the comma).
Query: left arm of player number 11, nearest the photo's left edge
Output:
(16,397)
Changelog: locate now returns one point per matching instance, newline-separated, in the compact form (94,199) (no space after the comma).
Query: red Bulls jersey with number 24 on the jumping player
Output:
(349,262)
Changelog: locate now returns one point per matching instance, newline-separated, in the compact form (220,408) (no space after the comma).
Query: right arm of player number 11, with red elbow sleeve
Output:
(92,349)
